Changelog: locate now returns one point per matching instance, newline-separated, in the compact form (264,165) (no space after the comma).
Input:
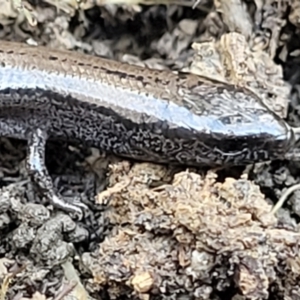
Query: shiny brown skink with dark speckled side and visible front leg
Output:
(134,112)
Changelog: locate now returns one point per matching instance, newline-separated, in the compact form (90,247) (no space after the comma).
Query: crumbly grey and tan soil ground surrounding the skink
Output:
(158,233)
